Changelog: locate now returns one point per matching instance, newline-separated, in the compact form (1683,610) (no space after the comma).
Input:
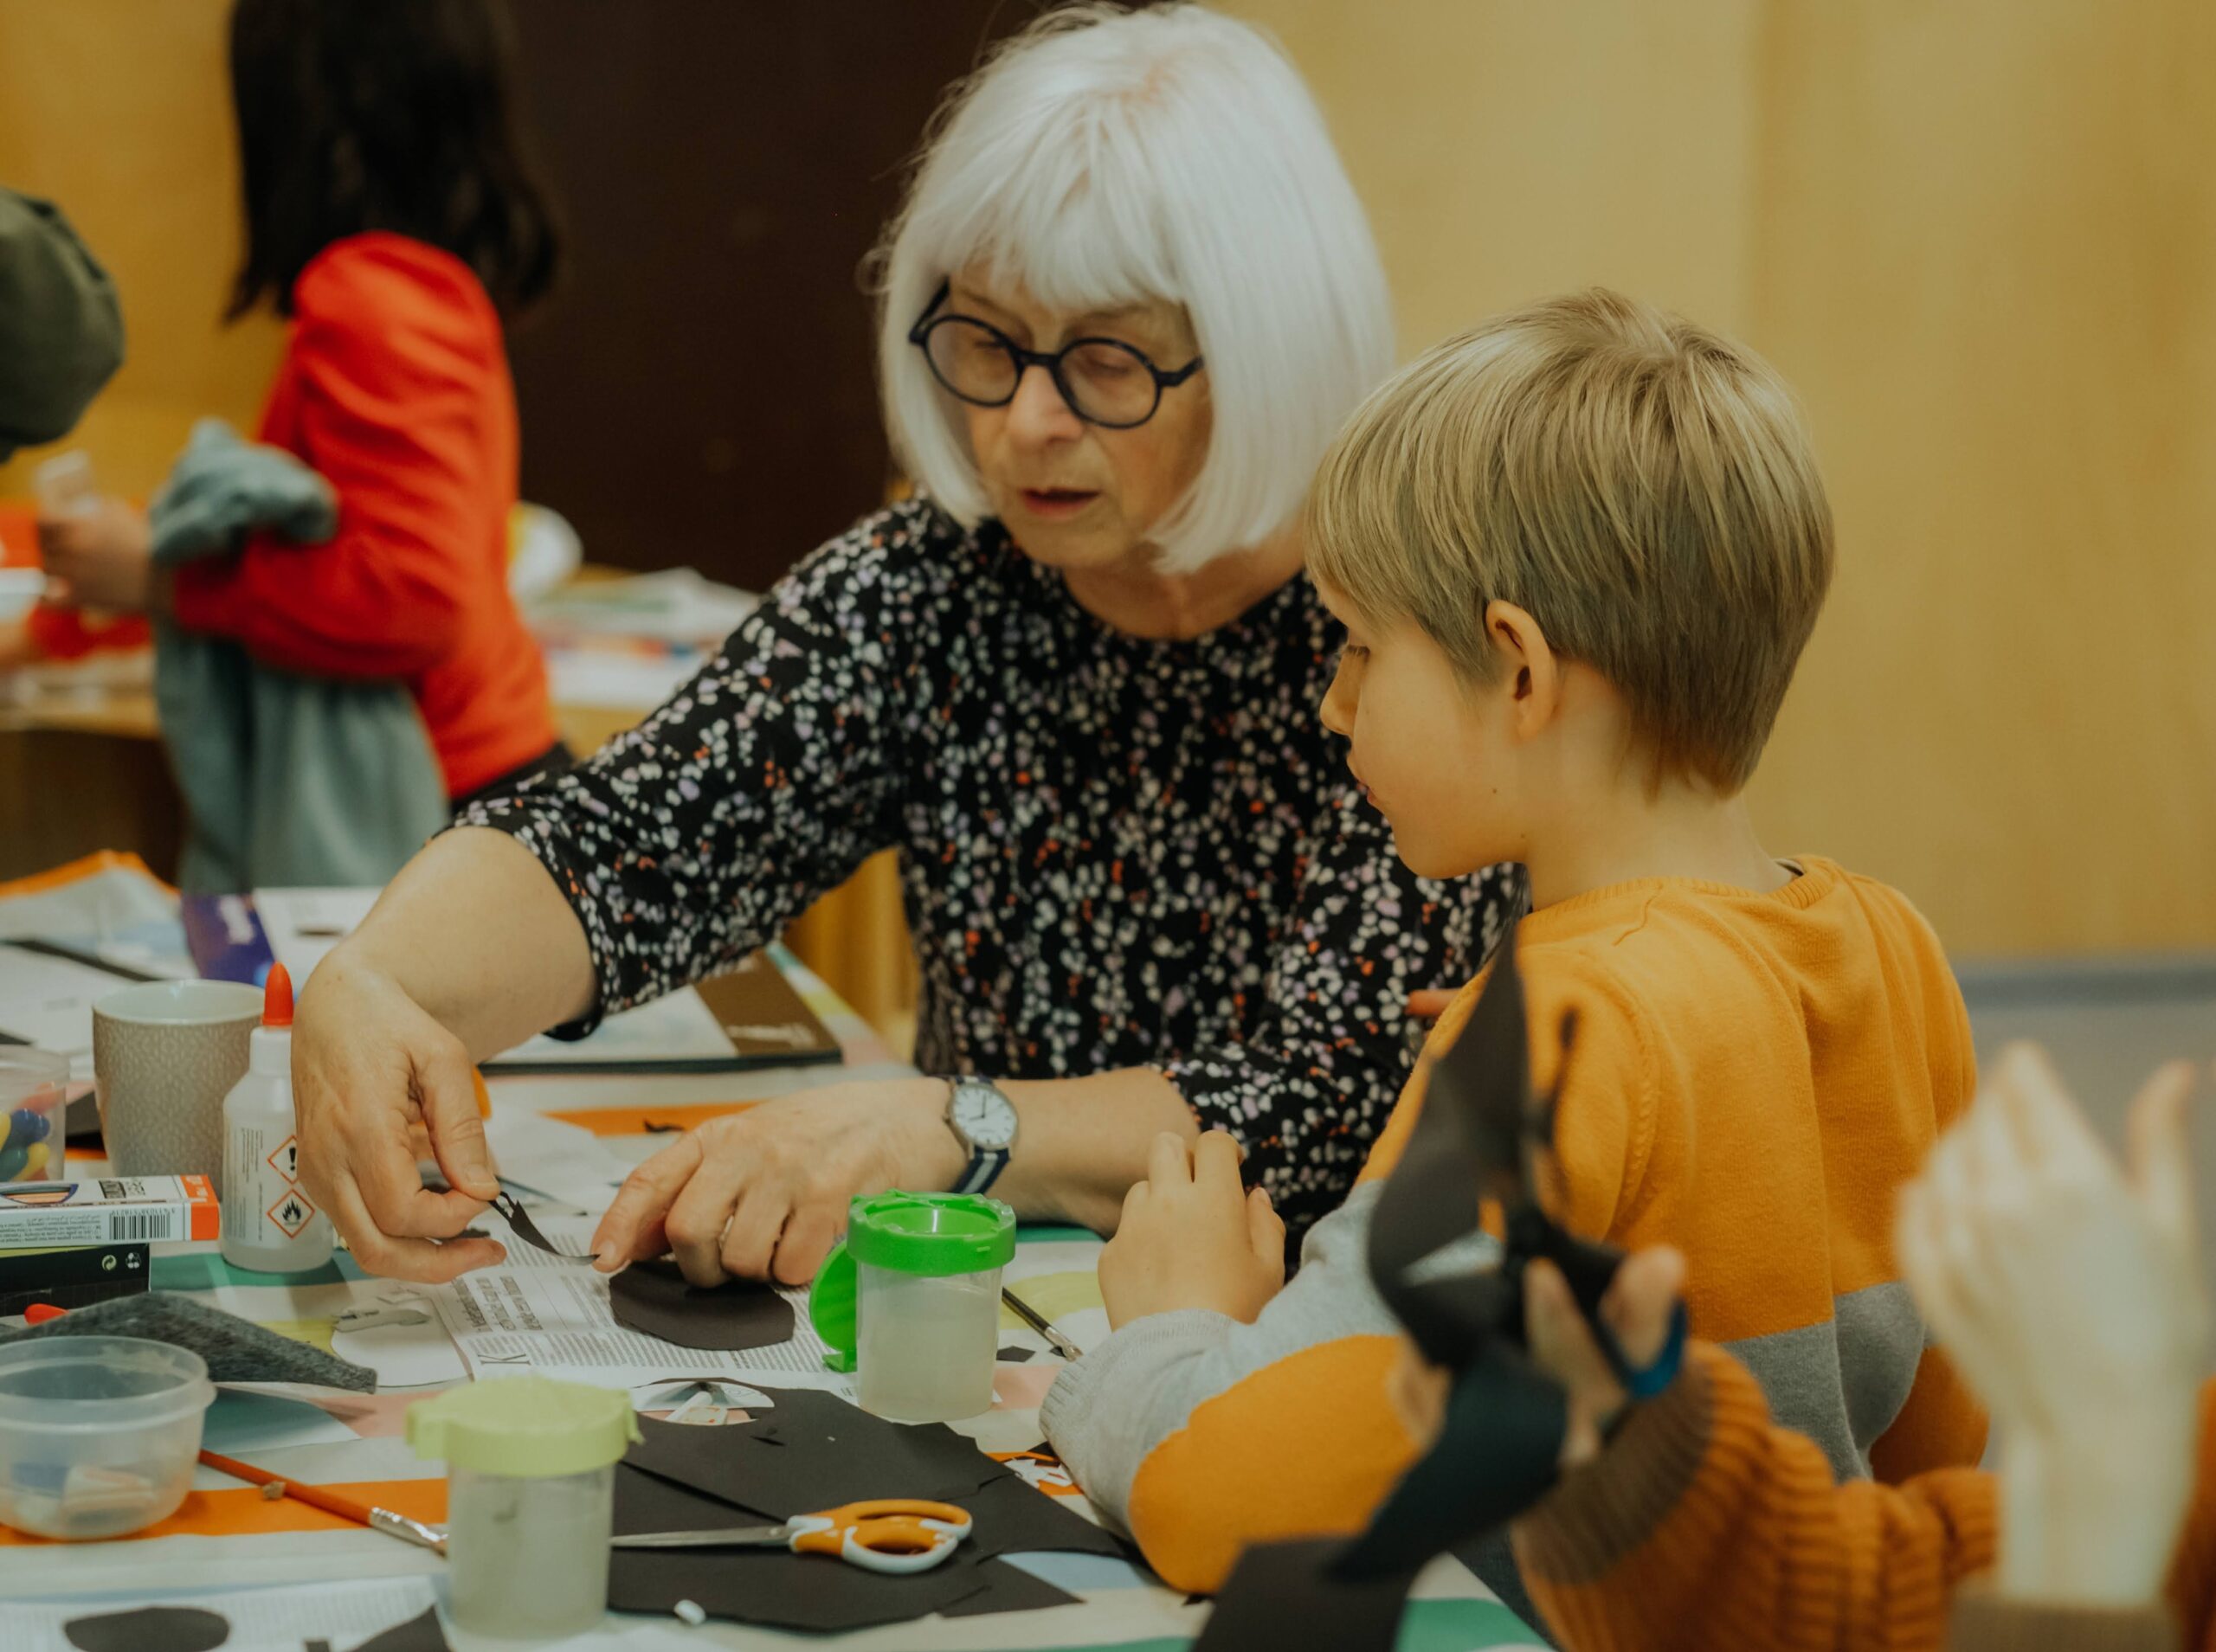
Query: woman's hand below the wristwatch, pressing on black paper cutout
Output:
(763,1195)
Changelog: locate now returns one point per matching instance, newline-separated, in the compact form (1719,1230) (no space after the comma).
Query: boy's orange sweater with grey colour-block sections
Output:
(1752,1082)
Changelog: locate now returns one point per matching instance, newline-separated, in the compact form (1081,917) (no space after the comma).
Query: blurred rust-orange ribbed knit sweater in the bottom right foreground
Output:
(1710,1527)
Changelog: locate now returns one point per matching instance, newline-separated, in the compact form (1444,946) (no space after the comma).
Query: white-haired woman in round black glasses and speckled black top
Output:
(1076,683)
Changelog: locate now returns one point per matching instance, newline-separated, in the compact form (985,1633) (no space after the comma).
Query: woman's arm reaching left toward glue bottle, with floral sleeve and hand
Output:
(675,851)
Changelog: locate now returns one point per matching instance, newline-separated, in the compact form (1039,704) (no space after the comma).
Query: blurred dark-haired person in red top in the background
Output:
(393,220)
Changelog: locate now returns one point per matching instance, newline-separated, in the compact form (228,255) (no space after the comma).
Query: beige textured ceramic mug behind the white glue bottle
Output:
(165,1055)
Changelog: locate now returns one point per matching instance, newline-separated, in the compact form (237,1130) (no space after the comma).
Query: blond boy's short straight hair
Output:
(1643,488)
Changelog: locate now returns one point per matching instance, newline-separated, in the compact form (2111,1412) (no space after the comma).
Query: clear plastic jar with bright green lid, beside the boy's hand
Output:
(910,1301)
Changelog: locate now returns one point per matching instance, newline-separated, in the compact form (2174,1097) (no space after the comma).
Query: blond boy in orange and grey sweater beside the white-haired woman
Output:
(1579,553)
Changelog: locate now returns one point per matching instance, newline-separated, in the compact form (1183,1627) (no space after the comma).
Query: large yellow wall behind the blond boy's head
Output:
(1980,238)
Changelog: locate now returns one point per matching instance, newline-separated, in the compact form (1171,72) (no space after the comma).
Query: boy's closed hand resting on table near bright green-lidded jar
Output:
(1193,1237)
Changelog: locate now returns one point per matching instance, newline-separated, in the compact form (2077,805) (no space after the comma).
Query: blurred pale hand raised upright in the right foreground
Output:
(2069,1297)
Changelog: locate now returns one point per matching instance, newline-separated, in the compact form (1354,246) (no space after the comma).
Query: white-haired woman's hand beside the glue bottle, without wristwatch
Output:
(371,1075)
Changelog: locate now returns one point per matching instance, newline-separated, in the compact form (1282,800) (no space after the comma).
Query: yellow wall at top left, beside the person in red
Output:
(121,112)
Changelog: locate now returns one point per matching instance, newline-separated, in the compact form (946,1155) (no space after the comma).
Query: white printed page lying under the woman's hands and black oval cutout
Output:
(551,1317)
